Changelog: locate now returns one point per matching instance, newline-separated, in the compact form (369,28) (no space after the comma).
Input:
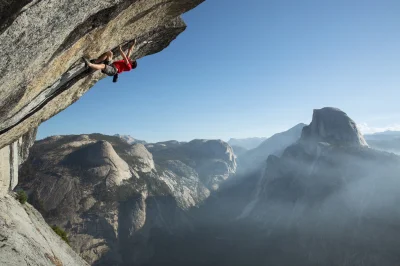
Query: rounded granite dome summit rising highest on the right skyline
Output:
(333,126)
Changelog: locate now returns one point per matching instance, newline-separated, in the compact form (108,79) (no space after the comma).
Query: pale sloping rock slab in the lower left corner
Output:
(26,239)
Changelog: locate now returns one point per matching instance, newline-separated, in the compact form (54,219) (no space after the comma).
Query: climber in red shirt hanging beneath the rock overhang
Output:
(105,64)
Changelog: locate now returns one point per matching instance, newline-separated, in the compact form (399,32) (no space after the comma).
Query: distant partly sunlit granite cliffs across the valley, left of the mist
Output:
(117,200)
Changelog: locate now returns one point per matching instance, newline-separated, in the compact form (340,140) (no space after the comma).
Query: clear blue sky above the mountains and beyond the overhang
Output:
(253,68)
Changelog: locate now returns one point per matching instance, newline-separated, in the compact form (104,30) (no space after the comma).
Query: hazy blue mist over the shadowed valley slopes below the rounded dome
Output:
(332,206)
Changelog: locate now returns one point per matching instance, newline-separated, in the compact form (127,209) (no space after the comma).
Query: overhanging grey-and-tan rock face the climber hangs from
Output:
(43,41)
